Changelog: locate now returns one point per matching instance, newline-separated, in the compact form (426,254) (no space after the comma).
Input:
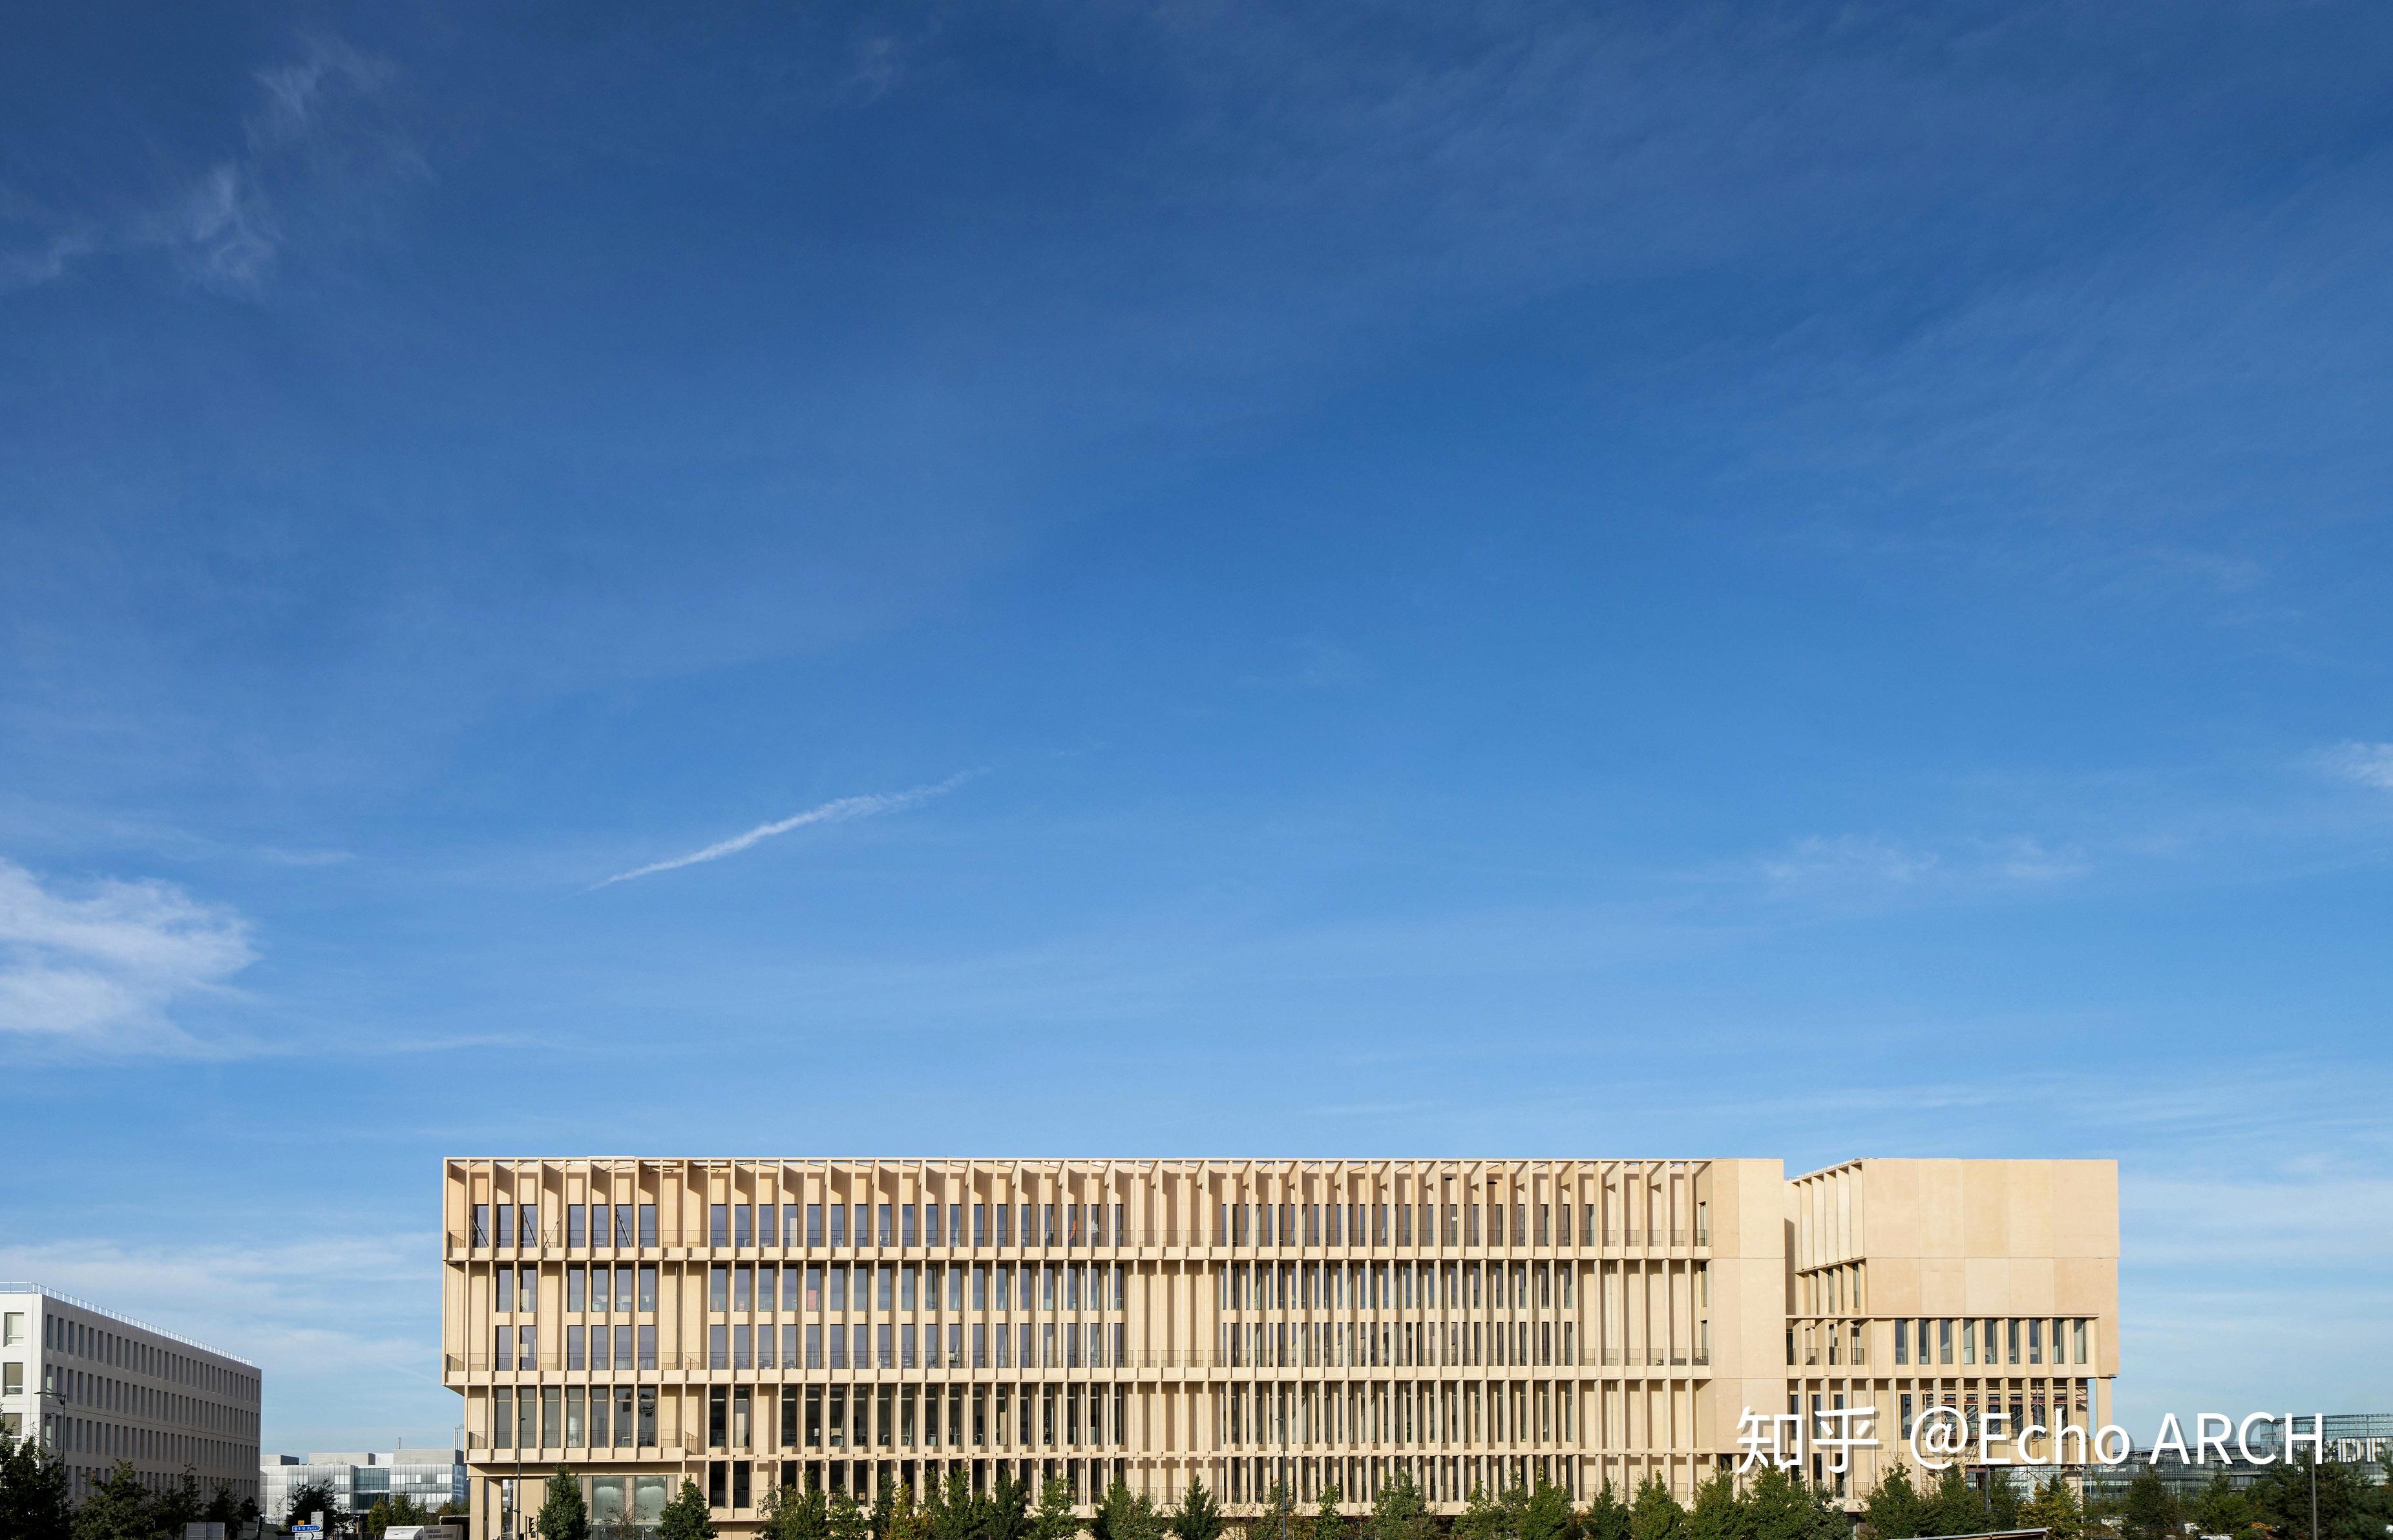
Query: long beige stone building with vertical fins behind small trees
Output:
(858,1324)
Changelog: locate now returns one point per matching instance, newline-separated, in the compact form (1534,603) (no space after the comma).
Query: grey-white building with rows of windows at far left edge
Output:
(99,1388)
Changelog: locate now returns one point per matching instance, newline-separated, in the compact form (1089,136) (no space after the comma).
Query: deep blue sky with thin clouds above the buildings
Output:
(1360,580)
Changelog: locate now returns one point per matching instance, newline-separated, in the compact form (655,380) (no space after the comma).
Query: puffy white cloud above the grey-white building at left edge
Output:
(106,970)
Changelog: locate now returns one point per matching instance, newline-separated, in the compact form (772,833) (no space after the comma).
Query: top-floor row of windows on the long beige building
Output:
(621,1226)
